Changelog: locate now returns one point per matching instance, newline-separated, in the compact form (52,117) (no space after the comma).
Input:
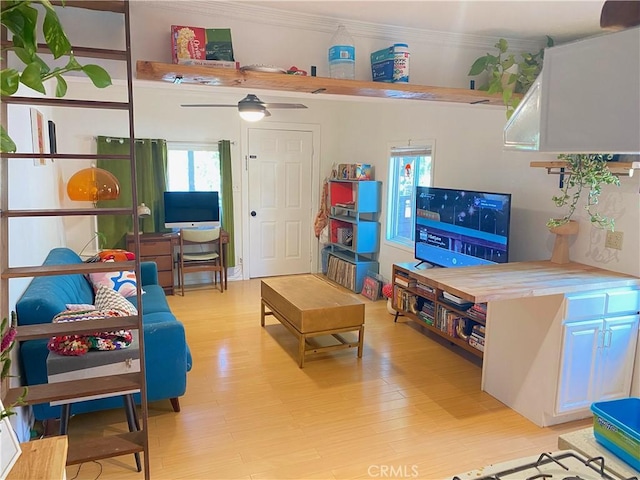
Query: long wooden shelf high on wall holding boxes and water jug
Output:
(226,77)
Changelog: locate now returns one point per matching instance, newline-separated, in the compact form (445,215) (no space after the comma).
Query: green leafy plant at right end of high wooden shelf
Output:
(508,76)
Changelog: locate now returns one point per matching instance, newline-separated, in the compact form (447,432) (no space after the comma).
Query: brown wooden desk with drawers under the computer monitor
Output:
(160,247)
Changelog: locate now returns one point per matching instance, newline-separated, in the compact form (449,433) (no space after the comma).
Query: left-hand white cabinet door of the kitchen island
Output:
(581,344)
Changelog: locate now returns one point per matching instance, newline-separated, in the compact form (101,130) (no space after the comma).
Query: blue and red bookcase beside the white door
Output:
(354,231)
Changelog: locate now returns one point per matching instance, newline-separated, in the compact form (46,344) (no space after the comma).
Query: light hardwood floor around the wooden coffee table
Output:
(412,405)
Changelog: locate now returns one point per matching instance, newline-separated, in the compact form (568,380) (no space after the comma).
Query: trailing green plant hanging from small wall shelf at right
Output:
(587,173)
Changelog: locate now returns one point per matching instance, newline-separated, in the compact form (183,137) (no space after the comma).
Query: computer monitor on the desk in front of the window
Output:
(191,209)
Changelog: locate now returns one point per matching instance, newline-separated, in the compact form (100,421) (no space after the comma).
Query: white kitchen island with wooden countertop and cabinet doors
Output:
(558,337)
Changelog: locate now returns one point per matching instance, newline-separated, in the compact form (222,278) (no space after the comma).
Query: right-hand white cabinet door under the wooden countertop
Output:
(615,367)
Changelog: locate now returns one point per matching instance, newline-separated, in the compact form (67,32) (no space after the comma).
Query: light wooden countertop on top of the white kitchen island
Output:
(522,279)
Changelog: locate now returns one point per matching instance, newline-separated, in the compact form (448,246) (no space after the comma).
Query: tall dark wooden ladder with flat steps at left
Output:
(102,446)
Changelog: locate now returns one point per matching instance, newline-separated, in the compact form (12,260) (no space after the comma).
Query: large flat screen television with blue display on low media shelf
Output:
(459,228)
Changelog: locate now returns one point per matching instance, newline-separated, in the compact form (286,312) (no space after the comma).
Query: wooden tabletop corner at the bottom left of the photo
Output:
(43,459)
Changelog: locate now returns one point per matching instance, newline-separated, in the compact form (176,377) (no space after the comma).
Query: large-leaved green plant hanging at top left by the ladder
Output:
(21,19)
